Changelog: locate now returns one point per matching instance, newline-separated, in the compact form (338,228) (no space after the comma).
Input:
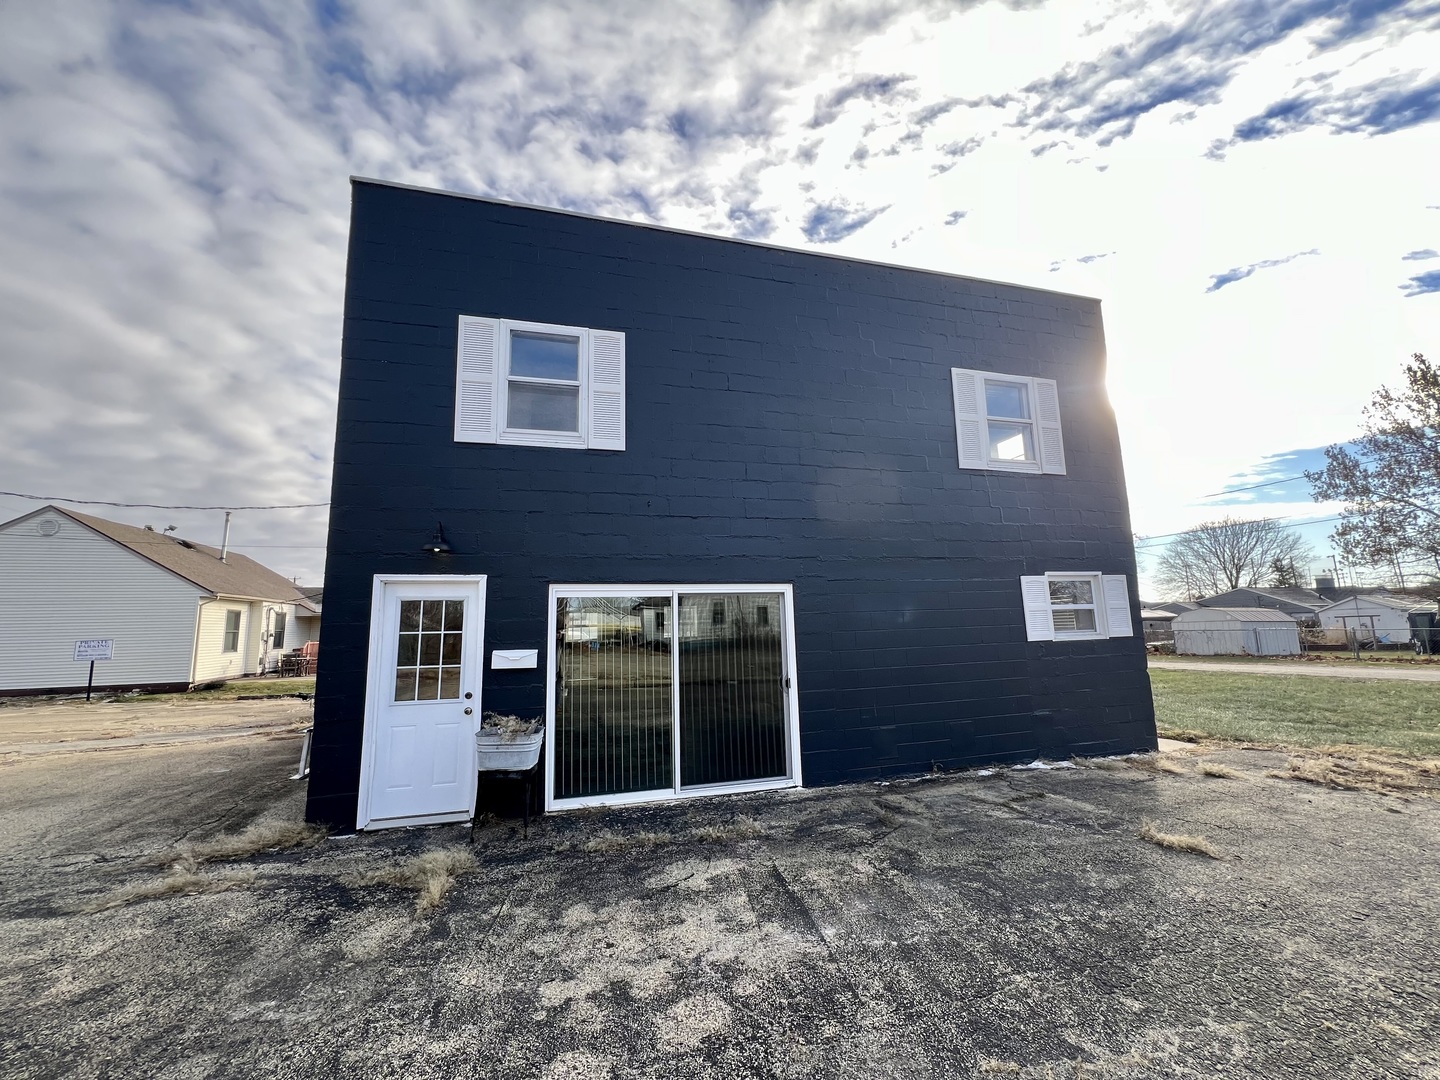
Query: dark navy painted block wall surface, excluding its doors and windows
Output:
(790,420)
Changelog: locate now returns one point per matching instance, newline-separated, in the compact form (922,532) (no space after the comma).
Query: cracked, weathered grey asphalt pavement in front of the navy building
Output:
(951,927)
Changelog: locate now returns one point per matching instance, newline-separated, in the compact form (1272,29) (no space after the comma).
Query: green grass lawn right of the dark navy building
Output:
(1301,711)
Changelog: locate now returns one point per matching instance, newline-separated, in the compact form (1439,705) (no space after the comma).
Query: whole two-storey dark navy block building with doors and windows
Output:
(728,516)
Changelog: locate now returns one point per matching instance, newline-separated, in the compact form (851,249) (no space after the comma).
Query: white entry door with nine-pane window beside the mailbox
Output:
(423,705)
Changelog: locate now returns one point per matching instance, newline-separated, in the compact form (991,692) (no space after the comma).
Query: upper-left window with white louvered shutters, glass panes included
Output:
(539,385)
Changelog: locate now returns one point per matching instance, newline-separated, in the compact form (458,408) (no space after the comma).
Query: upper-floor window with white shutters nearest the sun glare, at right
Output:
(1007,423)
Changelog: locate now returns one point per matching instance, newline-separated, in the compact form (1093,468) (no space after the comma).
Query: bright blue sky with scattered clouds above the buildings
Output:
(1251,189)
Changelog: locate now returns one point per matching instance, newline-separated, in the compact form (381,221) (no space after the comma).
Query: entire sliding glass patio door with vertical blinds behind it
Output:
(665,692)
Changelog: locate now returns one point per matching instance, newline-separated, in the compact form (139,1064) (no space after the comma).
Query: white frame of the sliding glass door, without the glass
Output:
(791,690)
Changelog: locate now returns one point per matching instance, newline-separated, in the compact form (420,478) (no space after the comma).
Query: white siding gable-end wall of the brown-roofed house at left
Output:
(76,584)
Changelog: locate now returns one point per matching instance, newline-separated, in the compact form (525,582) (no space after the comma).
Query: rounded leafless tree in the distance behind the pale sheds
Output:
(1218,557)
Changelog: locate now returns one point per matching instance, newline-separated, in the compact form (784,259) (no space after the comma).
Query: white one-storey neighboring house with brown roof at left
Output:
(179,614)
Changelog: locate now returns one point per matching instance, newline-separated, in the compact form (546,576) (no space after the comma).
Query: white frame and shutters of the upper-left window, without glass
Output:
(483,382)
